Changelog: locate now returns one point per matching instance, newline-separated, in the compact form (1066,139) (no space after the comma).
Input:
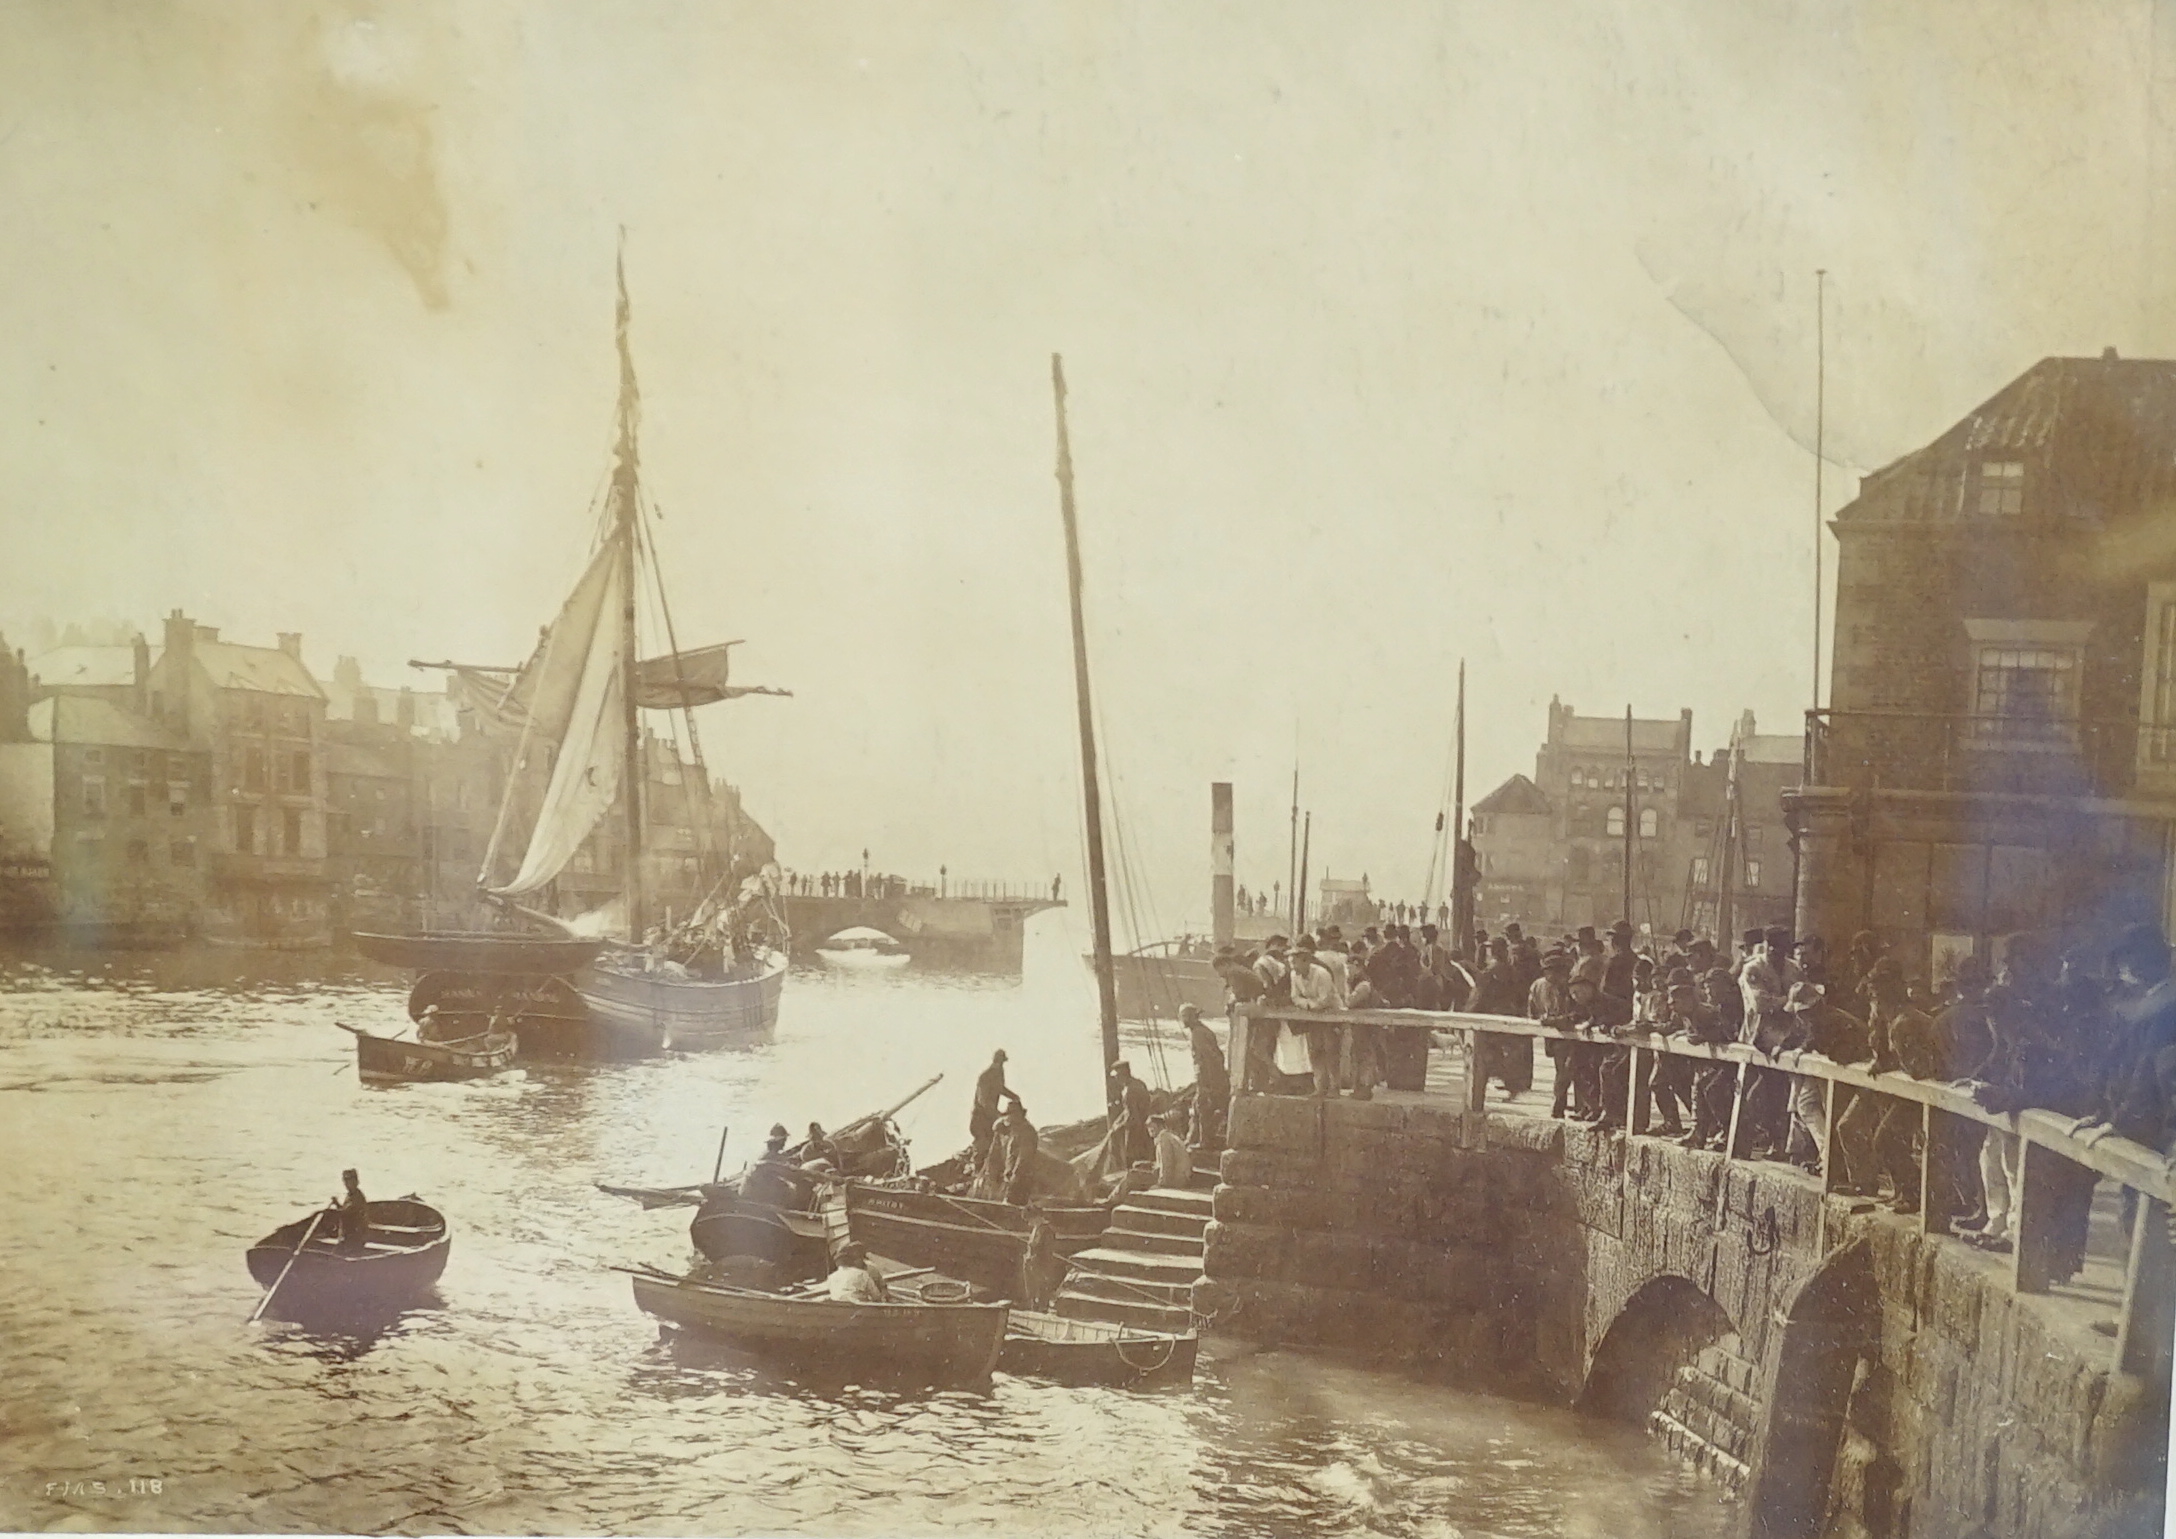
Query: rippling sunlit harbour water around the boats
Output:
(158,1113)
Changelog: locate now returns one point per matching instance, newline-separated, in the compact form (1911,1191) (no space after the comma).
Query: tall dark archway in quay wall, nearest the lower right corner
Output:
(1829,1325)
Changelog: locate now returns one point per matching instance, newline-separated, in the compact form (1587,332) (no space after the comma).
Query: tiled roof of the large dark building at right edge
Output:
(2097,436)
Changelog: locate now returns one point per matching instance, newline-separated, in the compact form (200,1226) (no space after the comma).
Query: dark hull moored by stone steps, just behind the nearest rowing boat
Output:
(963,1238)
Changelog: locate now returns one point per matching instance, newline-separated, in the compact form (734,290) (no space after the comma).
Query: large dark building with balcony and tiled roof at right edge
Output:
(2001,741)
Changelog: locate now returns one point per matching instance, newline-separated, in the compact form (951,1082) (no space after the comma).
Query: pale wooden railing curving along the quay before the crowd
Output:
(2047,1142)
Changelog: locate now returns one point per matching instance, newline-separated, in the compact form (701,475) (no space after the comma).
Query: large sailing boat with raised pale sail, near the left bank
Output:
(719,970)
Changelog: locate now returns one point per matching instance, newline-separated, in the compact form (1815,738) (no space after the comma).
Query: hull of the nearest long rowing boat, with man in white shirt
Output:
(941,1342)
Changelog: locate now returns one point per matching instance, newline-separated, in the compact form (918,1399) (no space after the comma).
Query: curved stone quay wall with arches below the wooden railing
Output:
(1846,1370)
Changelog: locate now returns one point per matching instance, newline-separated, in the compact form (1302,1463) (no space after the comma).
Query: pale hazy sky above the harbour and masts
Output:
(1396,334)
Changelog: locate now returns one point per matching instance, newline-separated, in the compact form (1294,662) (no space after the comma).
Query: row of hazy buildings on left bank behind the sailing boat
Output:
(210,787)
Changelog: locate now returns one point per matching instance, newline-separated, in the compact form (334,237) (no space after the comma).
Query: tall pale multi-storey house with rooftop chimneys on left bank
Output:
(260,715)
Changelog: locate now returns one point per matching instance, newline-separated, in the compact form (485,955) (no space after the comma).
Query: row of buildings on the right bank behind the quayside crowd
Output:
(1999,748)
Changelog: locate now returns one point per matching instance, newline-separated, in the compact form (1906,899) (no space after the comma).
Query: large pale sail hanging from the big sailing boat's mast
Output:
(576,709)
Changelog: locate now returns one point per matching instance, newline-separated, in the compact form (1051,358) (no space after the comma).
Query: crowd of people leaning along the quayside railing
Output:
(2081,1033)
